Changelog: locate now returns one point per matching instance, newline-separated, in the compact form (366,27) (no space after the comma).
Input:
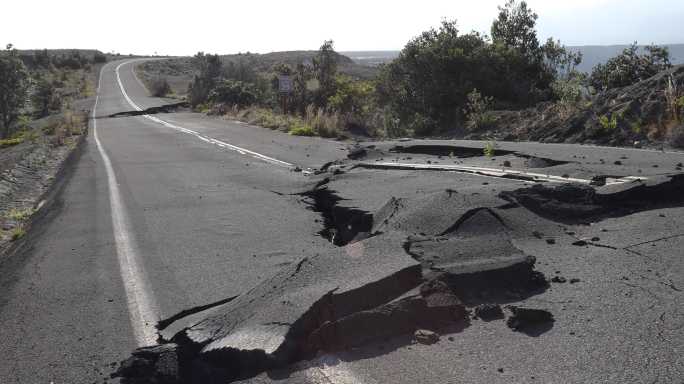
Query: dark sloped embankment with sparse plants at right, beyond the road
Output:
(622,116)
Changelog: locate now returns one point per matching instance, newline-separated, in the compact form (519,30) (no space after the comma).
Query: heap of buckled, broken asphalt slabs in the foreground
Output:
(370,289)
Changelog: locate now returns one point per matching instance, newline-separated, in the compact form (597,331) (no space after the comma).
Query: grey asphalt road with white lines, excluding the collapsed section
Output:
(184,210)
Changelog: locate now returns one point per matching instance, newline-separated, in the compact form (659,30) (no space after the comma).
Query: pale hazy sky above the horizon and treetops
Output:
(185,27)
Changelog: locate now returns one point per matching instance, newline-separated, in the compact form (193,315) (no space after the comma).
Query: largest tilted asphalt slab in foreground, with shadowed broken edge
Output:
(270,325)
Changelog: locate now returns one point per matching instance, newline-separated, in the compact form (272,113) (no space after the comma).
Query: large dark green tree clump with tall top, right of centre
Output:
(428,85)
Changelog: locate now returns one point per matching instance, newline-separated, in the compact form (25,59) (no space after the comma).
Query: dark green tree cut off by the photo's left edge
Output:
(14,81)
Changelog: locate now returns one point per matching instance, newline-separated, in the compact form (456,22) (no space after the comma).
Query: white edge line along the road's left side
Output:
(142,308)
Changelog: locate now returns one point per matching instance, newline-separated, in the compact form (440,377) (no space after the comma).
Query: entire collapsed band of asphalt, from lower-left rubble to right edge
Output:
(431,263)
